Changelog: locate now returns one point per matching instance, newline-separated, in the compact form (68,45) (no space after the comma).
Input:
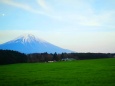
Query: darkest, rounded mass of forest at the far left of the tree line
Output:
(10,57)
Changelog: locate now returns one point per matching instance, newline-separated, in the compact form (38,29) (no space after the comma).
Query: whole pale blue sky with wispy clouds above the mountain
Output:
(79,25)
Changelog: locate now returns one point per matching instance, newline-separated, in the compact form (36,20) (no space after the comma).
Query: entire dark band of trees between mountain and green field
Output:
(10,56)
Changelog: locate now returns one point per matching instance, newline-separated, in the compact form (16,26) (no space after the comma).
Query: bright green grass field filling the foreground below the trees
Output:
(97,72)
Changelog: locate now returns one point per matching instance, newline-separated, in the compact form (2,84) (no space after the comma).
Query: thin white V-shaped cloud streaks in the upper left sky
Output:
(30,8)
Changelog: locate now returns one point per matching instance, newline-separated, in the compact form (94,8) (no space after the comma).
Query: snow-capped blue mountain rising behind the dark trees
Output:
(30,44)
